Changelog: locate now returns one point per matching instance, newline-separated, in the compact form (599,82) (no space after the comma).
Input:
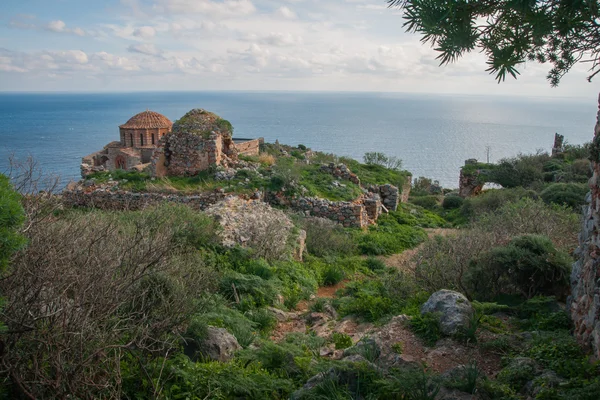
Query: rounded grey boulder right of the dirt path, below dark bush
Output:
(454,309)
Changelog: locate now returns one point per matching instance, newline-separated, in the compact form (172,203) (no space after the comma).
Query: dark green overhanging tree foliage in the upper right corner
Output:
(510,32)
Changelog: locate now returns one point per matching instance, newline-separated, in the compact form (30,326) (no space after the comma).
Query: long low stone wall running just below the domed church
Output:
(107,199)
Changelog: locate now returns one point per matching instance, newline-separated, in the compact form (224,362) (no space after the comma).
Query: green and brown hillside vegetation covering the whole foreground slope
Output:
(151,305)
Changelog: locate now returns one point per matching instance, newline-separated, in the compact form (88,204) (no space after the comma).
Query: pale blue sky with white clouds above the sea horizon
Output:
(257,45)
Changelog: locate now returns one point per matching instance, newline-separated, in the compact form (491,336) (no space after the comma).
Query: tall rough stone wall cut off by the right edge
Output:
(584,302)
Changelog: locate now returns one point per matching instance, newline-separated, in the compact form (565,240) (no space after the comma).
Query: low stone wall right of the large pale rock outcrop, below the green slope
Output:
(346,213)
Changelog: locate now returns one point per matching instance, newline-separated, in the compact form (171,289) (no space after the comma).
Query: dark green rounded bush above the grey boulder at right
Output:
(529,265)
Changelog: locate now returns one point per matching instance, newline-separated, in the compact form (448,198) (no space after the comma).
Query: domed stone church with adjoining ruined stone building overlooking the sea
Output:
(150,142)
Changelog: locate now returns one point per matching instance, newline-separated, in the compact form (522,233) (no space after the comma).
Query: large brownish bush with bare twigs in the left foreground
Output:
(109,279)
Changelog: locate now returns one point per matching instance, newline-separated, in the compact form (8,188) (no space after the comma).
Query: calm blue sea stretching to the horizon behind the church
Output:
(432,134)
